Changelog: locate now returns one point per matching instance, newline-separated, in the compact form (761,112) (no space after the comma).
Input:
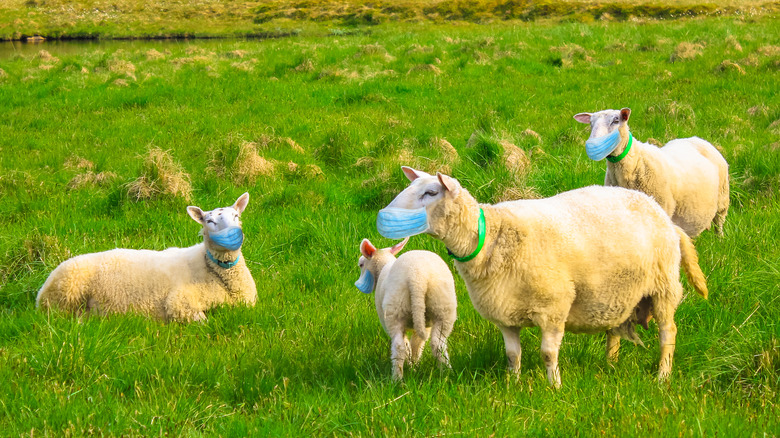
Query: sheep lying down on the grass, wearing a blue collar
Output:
(177,284)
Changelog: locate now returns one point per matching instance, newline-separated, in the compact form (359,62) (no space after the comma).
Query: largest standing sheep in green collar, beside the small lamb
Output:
(581,261)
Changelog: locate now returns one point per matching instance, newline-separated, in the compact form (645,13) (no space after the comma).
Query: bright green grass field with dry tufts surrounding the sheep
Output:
(104,146)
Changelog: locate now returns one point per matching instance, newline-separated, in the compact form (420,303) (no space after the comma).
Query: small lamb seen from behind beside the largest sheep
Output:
(414,292)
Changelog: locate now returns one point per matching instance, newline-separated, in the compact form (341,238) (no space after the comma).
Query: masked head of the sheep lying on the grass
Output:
(222,226)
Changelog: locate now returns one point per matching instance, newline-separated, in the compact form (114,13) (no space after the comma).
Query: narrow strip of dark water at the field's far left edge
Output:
(9,49)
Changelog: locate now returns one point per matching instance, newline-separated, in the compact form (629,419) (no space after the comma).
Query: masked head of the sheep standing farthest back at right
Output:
(609,132)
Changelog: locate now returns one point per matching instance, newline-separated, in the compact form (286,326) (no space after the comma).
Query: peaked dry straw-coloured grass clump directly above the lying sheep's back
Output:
(161,177)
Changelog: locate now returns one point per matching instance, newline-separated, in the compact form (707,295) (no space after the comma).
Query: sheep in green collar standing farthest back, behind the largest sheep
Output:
(688,177)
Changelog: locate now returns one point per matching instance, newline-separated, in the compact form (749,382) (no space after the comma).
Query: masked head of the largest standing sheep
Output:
(421,207)
